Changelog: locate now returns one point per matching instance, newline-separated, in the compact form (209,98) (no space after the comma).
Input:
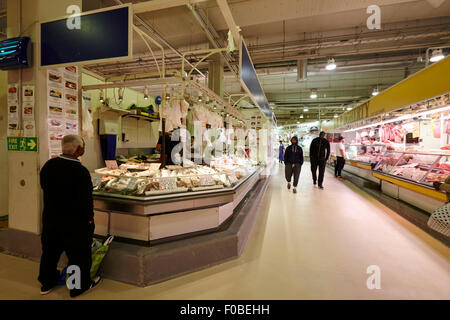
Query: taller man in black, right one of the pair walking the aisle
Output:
(319,152)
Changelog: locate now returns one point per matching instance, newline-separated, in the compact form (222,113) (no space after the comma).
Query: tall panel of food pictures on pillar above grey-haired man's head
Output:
(62,106)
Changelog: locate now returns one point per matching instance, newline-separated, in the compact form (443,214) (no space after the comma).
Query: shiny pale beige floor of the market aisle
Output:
(316,244)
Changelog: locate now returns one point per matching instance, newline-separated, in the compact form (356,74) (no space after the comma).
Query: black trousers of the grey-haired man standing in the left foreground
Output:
(77,246)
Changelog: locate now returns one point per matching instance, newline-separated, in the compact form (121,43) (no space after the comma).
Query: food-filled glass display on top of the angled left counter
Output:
(142,180)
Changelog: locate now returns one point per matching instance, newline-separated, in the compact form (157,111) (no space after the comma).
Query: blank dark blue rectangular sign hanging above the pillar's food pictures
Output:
(101,35)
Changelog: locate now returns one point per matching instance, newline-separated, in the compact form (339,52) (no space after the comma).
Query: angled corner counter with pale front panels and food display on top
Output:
(145,204)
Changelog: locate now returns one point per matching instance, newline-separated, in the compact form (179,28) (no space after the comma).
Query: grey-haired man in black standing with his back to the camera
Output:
(68,216)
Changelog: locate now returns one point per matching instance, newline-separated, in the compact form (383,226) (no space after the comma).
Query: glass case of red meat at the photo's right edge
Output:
(417,166)
